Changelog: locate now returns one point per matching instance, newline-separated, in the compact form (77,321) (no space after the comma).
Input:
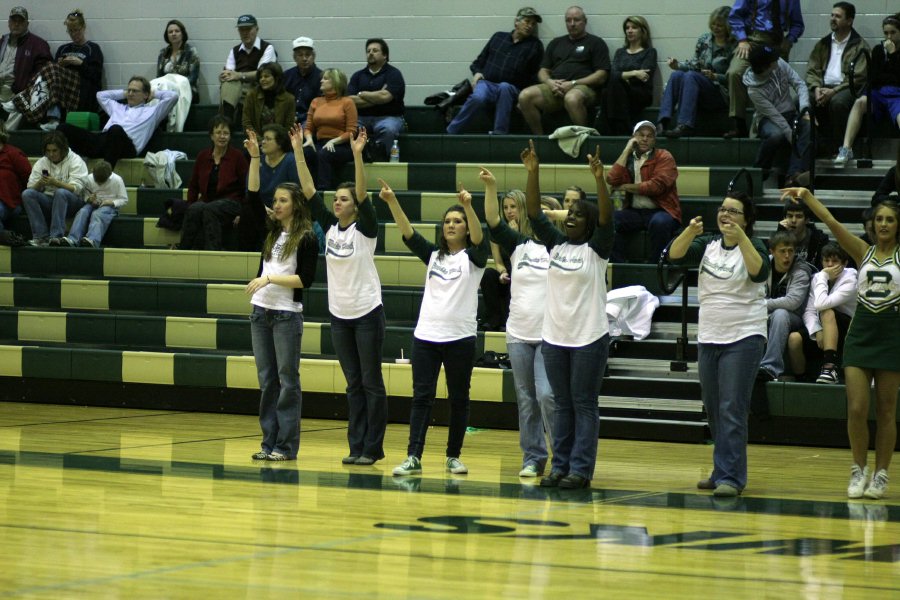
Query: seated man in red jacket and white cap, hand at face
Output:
(648,176)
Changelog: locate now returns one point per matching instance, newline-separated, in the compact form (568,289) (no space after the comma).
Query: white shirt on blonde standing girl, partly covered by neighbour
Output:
(528,289)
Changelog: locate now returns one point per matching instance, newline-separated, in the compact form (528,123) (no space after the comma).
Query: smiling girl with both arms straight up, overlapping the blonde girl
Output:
(575,331)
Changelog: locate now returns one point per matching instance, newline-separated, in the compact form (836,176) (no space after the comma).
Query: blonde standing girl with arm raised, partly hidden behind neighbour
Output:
(530,261)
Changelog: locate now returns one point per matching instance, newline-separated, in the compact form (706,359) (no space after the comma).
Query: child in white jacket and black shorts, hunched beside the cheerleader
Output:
(829,310)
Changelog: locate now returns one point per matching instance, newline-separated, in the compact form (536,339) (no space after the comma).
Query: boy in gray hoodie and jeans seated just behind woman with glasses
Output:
(787,289)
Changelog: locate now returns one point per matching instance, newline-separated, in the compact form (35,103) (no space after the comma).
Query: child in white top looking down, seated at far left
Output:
(104,194)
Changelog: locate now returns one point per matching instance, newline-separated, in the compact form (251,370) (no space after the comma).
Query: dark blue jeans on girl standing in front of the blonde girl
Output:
(575,375)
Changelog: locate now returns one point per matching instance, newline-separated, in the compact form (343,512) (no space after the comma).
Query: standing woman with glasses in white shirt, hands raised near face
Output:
(732,329)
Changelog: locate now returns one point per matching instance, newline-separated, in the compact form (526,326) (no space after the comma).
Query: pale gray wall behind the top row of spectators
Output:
(431,42)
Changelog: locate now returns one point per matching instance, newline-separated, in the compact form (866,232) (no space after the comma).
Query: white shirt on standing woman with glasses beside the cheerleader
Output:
(732,307)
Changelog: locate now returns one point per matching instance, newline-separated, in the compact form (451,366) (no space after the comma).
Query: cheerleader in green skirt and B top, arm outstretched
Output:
(872,347)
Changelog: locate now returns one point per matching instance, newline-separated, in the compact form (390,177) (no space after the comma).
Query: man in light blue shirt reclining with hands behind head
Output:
(130,125)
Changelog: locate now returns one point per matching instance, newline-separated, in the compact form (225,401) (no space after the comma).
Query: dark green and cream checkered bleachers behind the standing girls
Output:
(137,324)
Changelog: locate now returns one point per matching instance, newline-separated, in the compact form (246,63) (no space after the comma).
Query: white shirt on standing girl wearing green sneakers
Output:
(450,302)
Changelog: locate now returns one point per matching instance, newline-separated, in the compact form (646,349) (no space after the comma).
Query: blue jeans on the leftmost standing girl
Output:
(276,336)
